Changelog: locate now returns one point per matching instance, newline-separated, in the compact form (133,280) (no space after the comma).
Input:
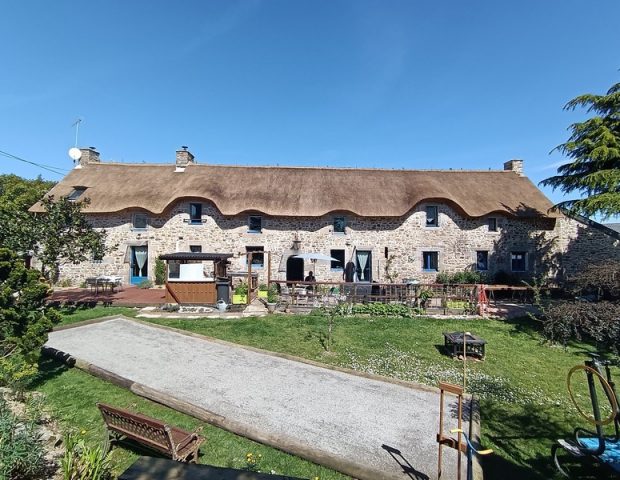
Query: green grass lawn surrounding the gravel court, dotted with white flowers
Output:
(521,384)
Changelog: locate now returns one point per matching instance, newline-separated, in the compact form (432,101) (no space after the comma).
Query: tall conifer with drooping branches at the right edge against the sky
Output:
(594,148)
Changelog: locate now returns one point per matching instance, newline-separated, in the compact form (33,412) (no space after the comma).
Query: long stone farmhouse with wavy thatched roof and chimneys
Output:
(392,224)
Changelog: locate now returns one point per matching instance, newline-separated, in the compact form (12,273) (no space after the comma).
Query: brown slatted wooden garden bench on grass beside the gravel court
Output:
(173,442)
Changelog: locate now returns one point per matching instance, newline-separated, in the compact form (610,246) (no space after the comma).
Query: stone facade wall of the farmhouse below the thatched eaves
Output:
(553,247)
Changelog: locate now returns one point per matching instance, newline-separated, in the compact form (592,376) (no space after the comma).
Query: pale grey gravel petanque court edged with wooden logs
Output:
(334,418)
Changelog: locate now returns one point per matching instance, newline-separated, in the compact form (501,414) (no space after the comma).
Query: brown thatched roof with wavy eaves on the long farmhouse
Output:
(296,191)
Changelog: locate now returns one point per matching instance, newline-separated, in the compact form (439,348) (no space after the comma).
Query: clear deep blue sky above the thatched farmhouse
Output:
(390,84)
